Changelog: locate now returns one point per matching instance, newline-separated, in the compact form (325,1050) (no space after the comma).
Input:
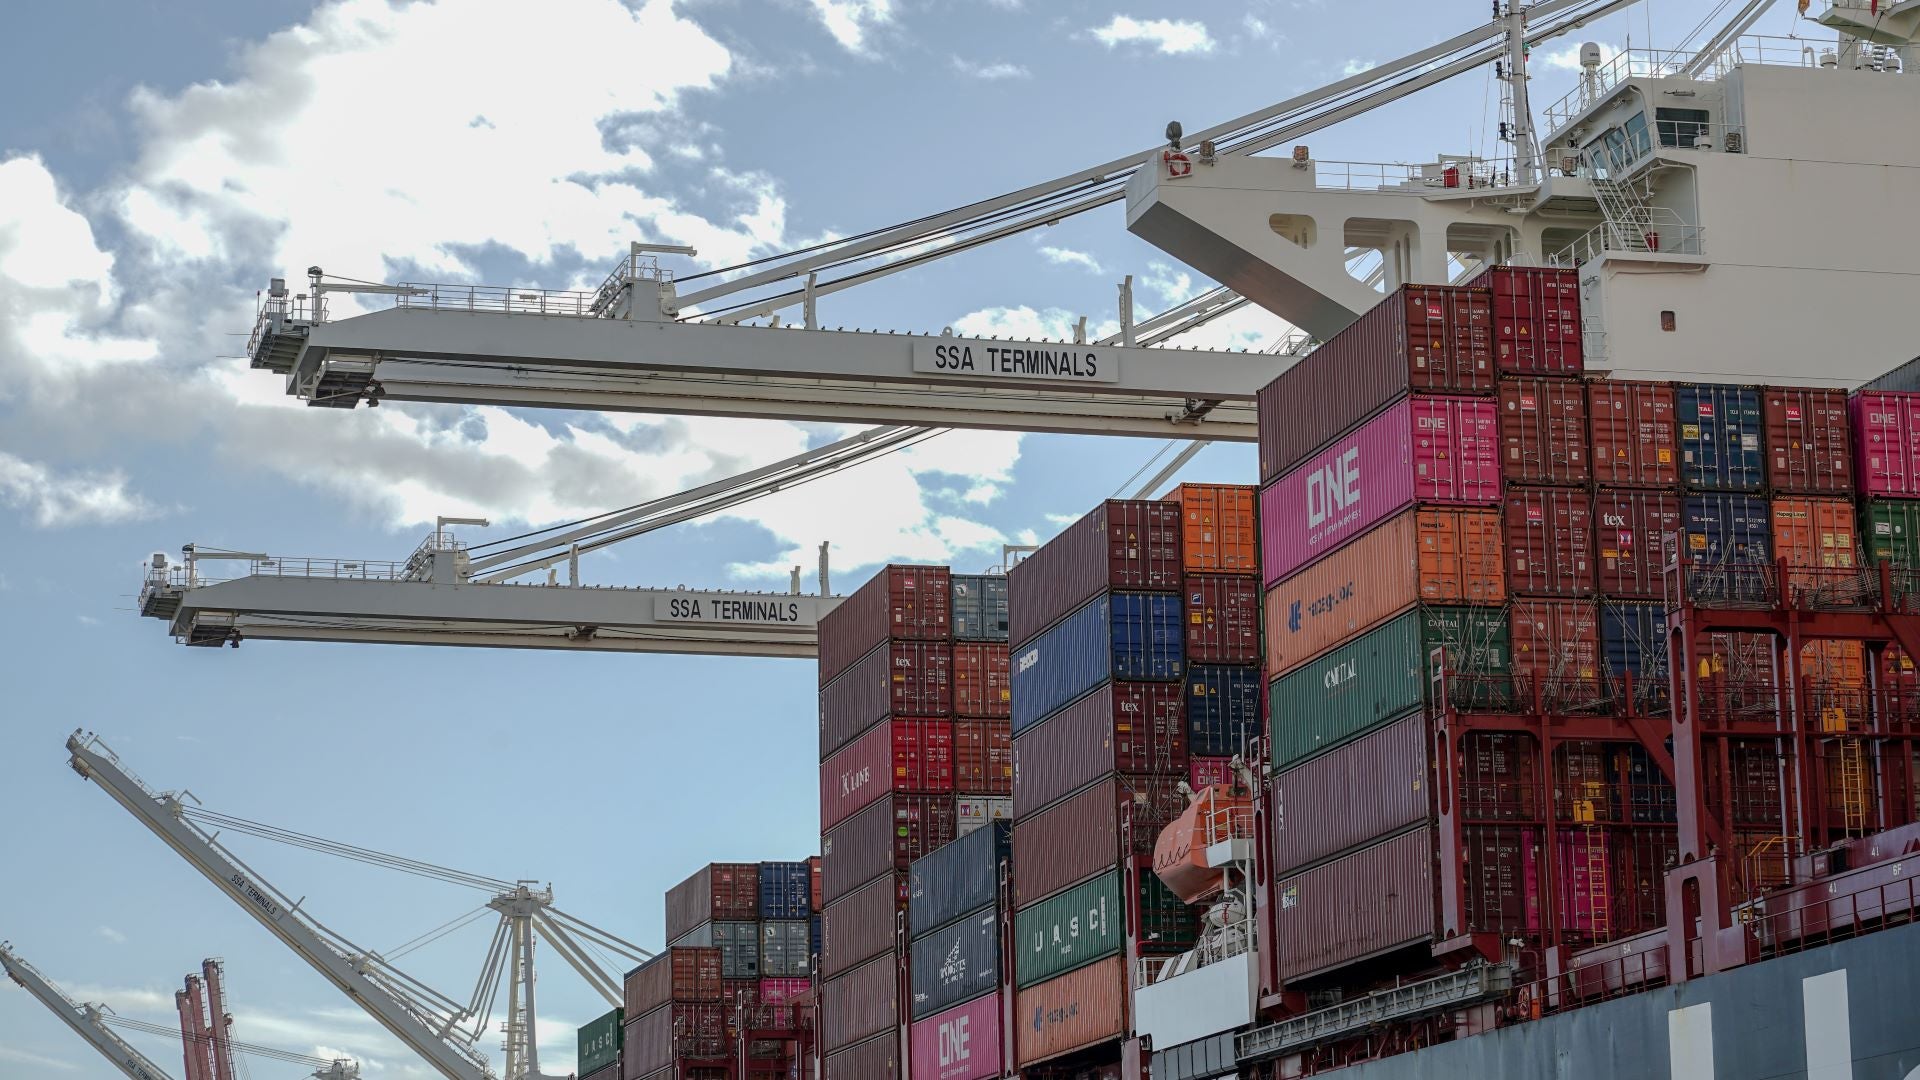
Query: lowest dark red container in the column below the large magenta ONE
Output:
(1358,906)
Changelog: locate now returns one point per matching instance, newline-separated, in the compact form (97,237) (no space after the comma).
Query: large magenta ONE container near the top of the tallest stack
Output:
(1424,449)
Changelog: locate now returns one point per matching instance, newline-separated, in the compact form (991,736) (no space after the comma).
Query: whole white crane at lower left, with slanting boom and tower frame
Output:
(443,1031)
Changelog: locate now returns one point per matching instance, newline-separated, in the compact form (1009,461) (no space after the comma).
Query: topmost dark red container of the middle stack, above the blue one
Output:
(1130,545)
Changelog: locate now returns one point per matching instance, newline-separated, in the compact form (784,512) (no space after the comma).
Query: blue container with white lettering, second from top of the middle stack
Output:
(1120,635)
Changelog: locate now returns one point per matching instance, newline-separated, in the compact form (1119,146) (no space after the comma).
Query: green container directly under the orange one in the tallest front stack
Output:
(1381,675)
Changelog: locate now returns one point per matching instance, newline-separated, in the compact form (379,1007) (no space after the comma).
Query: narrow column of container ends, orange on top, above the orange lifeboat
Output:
(1220,589)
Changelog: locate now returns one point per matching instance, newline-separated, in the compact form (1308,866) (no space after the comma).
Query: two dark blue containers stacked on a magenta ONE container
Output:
(957,958)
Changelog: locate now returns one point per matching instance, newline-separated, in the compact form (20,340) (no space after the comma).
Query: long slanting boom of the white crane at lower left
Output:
(350,971)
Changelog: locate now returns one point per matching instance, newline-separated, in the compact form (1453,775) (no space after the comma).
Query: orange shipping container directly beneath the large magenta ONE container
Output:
(1422,556)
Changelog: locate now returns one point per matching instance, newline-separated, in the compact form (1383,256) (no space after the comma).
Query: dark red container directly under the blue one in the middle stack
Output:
(1122,727)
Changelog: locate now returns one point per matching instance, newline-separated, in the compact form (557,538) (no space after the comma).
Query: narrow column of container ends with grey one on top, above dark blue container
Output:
(984,702)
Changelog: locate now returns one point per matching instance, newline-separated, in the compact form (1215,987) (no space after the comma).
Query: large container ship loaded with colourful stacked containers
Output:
(1547,706)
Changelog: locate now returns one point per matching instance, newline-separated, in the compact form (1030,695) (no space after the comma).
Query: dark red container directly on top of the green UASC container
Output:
(1080,837)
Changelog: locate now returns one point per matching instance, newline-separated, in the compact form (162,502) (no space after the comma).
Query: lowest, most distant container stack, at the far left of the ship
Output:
(740,960)
